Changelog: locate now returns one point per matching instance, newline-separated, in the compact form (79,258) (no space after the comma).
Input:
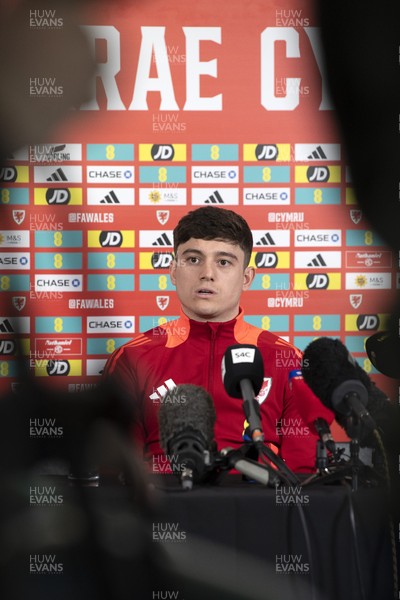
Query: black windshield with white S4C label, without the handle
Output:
(242,361)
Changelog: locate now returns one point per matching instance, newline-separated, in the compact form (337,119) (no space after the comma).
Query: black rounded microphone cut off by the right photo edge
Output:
(383,349)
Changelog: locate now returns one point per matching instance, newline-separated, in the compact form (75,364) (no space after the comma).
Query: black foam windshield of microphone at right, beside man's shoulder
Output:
(327,364)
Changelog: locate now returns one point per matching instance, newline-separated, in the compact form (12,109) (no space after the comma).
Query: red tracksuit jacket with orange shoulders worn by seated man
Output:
(187,351)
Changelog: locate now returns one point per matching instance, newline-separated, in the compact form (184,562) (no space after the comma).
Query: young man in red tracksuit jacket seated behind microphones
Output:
(210,271)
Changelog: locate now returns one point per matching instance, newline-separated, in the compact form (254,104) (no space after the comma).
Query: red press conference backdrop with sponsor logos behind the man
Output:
(194,103)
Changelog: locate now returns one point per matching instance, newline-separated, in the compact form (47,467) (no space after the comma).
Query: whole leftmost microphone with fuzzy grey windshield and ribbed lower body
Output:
(186,423)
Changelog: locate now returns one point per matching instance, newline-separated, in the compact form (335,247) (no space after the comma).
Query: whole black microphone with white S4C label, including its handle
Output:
(243,376)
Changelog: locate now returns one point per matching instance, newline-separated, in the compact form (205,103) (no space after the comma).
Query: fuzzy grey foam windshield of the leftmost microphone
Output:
(186,407)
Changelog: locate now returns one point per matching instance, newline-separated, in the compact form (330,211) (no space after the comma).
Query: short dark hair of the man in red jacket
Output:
(213,223)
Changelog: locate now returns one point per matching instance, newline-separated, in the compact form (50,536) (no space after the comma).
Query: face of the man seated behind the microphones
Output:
(210,277)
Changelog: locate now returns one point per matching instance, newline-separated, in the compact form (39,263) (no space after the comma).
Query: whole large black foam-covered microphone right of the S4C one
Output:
(336,378)
